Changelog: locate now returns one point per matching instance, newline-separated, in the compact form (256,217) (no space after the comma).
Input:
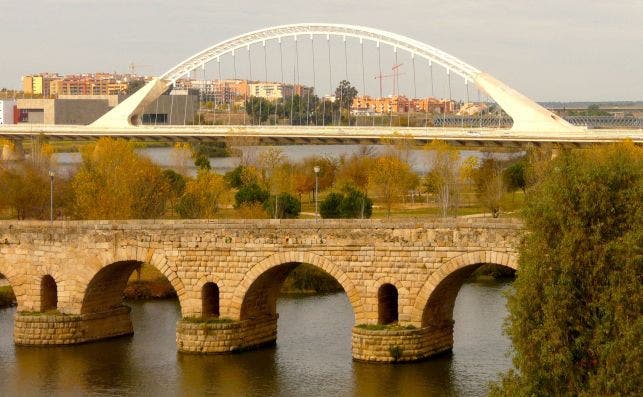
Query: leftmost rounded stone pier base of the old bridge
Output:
(43,330)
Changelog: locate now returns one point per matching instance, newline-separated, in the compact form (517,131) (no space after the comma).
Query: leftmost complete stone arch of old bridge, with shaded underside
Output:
(103,291)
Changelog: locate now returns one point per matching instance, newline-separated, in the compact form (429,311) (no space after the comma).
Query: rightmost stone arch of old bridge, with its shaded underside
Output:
(435,301)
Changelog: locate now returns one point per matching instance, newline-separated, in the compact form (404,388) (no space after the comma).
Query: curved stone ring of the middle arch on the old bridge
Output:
(280,264)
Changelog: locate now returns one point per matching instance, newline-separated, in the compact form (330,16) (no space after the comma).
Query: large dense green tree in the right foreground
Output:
(575,313)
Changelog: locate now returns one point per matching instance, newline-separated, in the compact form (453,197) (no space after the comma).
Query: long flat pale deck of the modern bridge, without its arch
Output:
(470,137)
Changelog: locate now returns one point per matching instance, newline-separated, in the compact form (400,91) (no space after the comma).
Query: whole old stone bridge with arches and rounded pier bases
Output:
(401,277)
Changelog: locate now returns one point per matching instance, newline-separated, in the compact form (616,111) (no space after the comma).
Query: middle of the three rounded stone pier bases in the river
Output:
(219,338)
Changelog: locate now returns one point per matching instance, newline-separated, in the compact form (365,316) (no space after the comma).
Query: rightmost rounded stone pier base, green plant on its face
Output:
(401,345)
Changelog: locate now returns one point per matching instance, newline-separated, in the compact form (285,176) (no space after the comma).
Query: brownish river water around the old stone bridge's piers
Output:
(312,357)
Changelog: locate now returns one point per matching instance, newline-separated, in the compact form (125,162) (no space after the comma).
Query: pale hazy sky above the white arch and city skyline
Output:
(549,50)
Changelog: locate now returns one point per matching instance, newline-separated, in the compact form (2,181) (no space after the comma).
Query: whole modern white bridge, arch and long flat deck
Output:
(533,125)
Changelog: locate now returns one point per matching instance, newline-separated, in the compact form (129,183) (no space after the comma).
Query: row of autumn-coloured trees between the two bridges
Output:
(114,181)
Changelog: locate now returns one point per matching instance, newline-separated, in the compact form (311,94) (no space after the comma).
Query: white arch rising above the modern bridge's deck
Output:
(526,114)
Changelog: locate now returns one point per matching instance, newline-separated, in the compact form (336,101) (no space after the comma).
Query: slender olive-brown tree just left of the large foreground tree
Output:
(490,185)
